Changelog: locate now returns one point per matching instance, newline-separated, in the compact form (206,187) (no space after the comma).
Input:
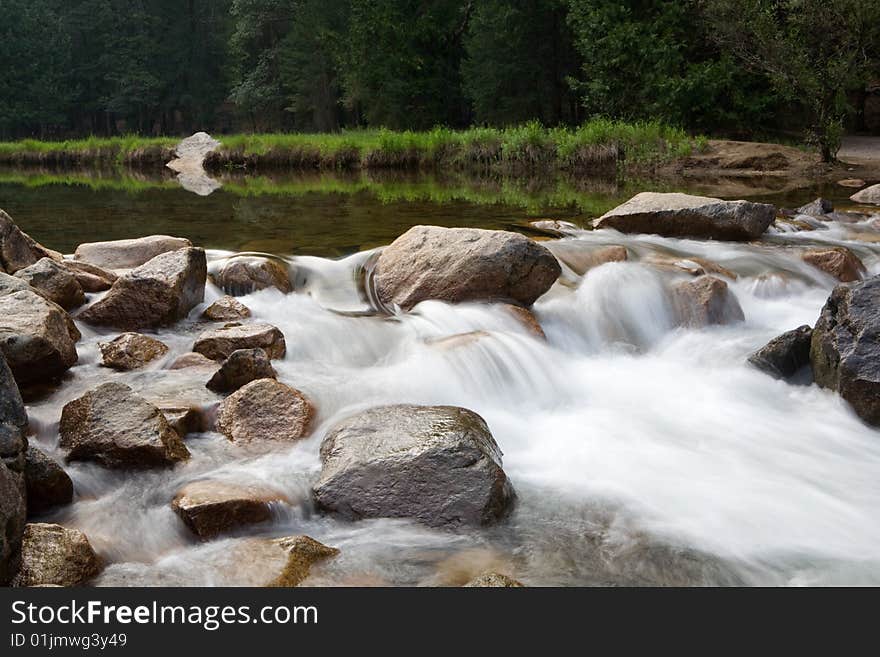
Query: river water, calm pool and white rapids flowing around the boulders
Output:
(641,452)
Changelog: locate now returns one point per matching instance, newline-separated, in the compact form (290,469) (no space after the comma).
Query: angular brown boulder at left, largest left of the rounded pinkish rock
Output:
(118,429)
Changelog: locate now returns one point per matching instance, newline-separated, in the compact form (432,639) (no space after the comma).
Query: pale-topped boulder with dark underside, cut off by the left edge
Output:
(36,337)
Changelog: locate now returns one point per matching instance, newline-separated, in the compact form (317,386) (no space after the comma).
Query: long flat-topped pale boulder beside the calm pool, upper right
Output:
(683,215)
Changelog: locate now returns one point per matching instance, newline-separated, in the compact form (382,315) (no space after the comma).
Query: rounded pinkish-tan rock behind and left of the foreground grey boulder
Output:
(265,410)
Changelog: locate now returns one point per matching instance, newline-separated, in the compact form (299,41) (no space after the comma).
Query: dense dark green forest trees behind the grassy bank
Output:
(105,67)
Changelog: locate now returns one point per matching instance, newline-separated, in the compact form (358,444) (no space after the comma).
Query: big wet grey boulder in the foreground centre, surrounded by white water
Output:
(439,465)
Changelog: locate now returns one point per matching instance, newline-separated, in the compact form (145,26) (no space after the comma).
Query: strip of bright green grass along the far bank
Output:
(599,146)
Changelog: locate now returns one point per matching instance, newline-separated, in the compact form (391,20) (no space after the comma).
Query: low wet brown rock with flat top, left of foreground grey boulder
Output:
(210,508)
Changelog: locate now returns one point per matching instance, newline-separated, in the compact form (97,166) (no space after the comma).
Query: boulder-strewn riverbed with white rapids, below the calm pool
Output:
(681,391)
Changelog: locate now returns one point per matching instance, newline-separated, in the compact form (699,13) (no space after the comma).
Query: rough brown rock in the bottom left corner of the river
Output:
(52,554)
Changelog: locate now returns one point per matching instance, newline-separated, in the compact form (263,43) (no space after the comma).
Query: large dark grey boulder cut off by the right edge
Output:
(845,347)
